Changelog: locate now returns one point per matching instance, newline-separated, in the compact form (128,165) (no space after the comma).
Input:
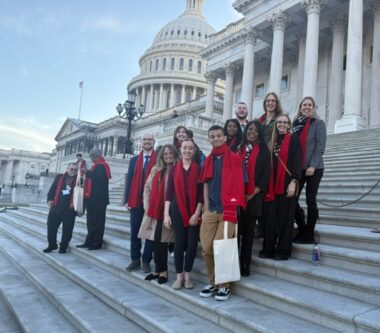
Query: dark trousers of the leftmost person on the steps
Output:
(54,221)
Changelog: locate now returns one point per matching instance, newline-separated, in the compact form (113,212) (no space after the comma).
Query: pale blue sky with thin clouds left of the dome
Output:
(49,46)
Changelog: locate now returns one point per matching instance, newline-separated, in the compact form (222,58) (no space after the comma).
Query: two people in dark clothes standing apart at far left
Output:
(94,182)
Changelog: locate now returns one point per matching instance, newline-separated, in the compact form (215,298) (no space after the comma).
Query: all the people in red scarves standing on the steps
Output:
(252,178)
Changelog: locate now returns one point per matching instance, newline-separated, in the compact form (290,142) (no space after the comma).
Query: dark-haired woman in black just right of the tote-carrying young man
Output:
(255,155)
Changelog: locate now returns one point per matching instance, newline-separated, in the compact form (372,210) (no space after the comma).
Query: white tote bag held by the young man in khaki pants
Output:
(226,258)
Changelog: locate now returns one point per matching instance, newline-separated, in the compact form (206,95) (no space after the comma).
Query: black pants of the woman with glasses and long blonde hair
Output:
(278,235)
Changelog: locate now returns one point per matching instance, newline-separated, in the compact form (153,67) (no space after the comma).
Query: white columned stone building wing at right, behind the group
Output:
(326,49)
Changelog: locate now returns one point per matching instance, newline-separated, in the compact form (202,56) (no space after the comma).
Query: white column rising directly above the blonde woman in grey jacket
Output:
(313,9)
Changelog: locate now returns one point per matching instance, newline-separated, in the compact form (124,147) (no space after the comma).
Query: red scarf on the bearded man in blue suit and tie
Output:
(134,199)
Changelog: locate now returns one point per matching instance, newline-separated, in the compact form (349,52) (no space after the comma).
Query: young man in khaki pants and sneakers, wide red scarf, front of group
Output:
(223,178)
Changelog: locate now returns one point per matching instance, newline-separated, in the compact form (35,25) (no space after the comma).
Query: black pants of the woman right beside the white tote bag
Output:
(246,231)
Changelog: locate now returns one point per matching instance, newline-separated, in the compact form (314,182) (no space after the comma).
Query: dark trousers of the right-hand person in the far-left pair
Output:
(96,219)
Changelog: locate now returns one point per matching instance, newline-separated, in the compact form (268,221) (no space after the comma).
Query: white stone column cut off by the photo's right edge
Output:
(375,83)
